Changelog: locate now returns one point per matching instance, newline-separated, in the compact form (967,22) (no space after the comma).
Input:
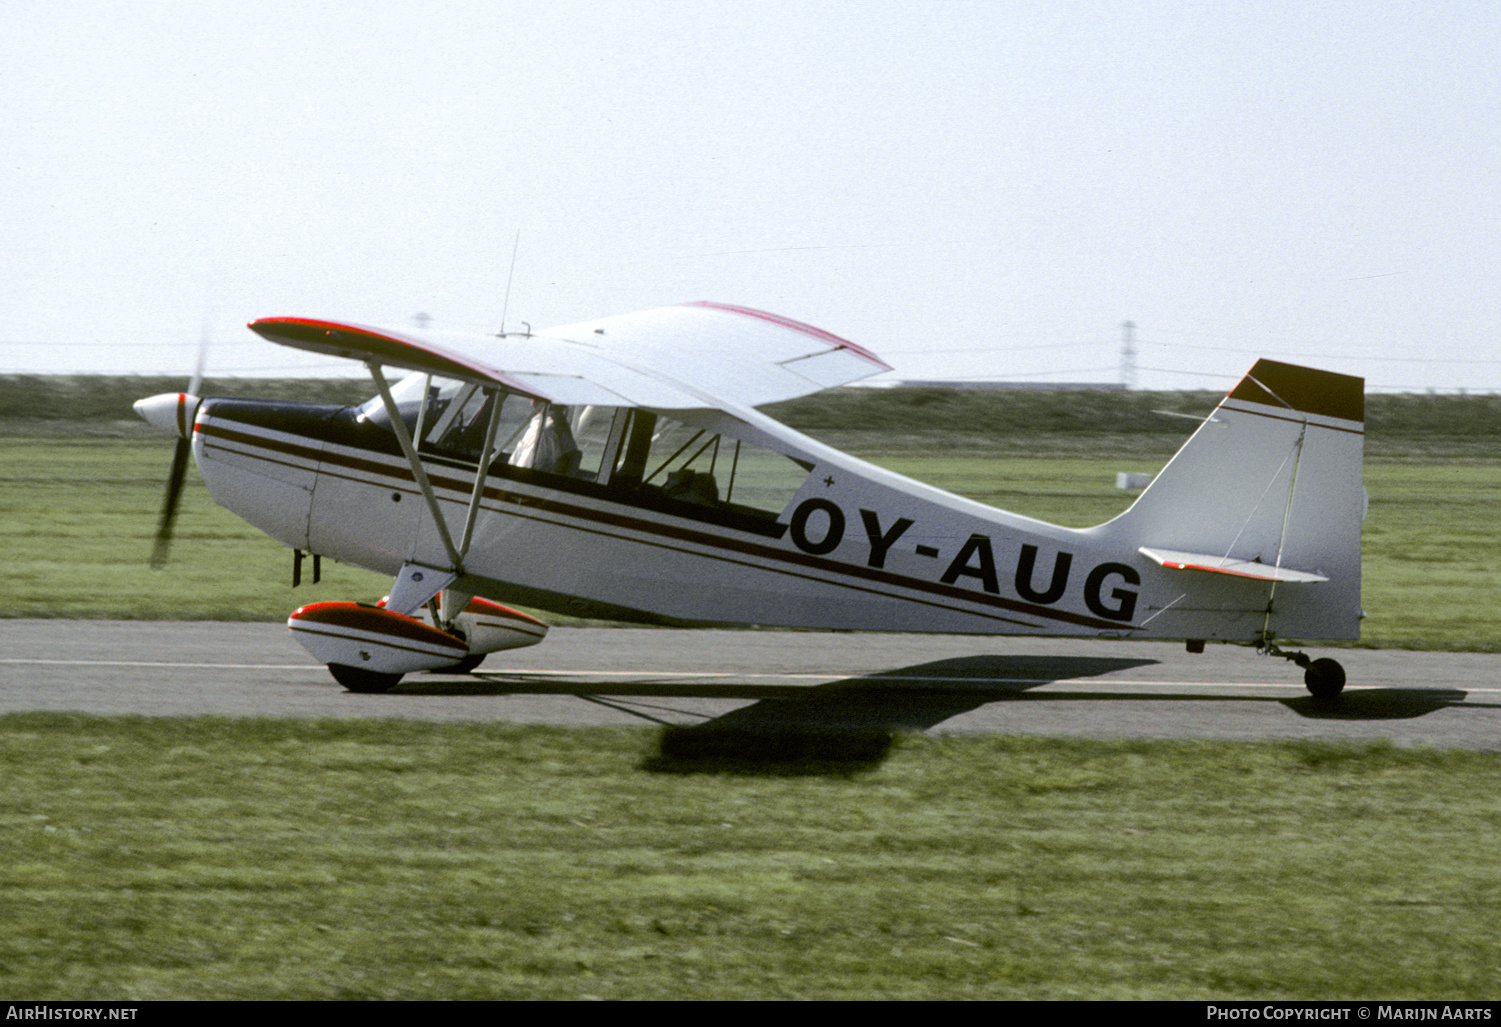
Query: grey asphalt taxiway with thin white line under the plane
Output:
(940,684)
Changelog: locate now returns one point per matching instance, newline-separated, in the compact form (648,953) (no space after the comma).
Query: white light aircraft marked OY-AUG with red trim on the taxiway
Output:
(621,469)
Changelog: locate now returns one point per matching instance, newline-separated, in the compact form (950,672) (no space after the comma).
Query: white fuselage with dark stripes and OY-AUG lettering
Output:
(718,517)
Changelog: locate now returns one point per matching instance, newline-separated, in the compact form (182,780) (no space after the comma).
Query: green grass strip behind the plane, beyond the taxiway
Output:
(77,519)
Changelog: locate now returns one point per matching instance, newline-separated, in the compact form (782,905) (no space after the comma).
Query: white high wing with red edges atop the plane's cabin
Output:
(673,358)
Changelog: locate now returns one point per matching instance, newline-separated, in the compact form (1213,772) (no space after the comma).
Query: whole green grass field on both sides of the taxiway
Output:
(203,858)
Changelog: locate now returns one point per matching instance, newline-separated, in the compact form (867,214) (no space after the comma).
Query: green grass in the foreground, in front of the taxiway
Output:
(361,860)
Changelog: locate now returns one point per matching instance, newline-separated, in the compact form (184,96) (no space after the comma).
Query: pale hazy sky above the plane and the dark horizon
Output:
(969,190)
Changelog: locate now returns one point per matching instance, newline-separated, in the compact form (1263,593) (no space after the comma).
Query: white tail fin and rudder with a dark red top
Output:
(1269,490)
